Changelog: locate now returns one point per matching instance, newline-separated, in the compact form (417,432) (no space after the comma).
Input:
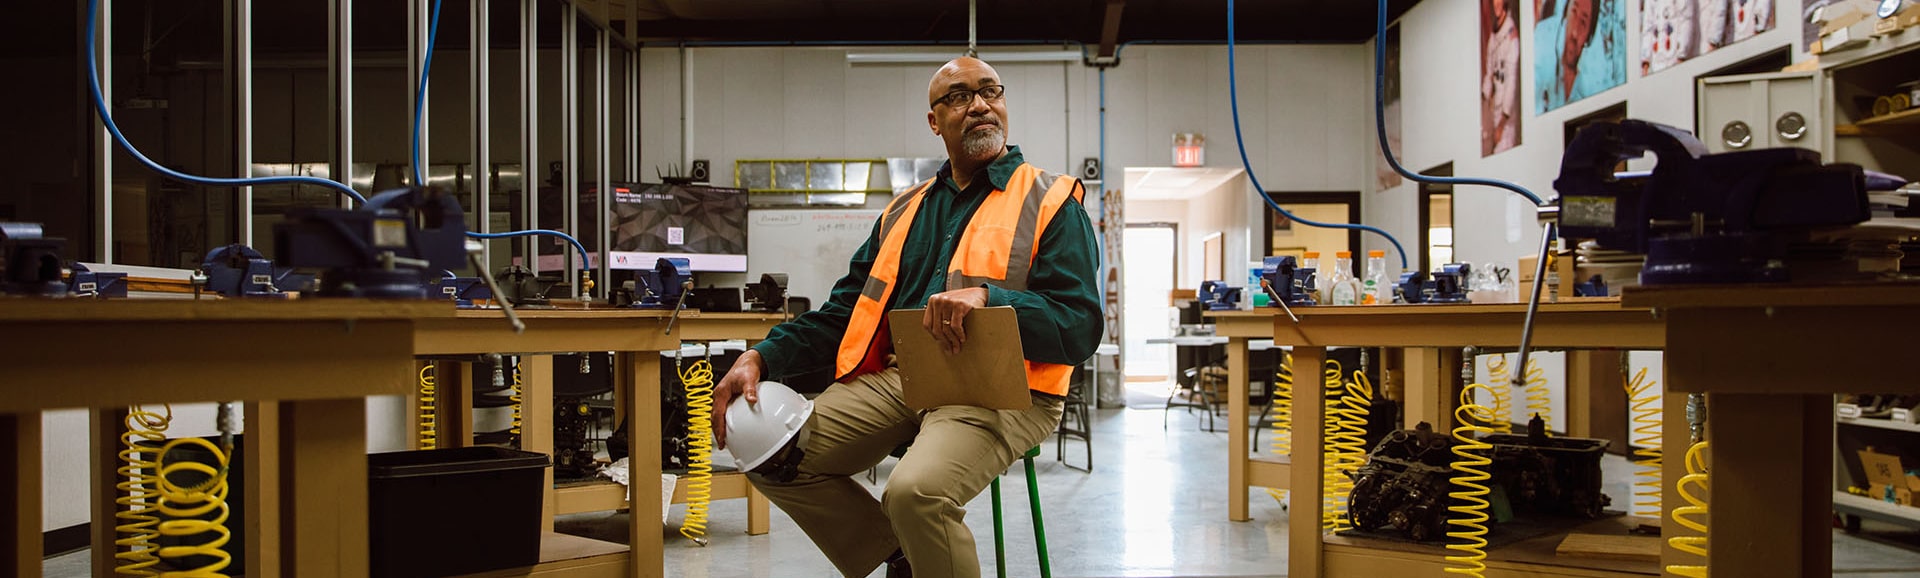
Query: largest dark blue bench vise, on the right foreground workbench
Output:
(1702,218)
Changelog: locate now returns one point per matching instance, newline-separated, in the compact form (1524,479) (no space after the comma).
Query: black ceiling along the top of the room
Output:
(193,30)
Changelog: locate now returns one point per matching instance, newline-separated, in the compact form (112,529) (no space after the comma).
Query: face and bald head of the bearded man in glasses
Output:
(972,126)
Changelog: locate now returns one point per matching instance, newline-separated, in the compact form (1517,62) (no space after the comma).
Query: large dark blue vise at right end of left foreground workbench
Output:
(393,247)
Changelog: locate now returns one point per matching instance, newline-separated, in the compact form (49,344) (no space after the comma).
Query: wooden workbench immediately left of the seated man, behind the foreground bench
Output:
(636,337)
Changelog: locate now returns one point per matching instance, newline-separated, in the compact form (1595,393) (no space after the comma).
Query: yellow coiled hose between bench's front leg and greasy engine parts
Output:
(1347,439)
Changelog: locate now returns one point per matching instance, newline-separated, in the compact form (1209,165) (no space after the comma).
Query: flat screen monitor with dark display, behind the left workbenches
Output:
(704,224)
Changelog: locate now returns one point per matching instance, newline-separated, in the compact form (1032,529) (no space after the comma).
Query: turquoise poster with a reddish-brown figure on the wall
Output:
(1579,51)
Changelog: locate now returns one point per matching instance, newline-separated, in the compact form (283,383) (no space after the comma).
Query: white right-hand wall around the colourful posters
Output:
(1441,68)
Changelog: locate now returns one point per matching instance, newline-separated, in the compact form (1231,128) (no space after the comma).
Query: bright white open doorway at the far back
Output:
(1149,270)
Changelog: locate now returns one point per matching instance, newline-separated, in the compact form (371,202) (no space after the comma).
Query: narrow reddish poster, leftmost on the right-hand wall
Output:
(1500,76)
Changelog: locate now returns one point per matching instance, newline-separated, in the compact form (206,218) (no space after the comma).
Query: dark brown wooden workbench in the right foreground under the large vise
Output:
(1771,360)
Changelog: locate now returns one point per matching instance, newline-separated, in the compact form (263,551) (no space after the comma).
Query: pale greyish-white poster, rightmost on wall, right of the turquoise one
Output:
(1673,32)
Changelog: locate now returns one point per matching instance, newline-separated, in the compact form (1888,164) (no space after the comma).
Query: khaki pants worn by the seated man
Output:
(955,454)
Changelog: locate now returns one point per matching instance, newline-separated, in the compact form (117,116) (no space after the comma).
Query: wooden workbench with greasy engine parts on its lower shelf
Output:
(1433,339)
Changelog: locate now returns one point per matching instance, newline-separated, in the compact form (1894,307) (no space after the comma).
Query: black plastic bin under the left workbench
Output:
(454,512)
